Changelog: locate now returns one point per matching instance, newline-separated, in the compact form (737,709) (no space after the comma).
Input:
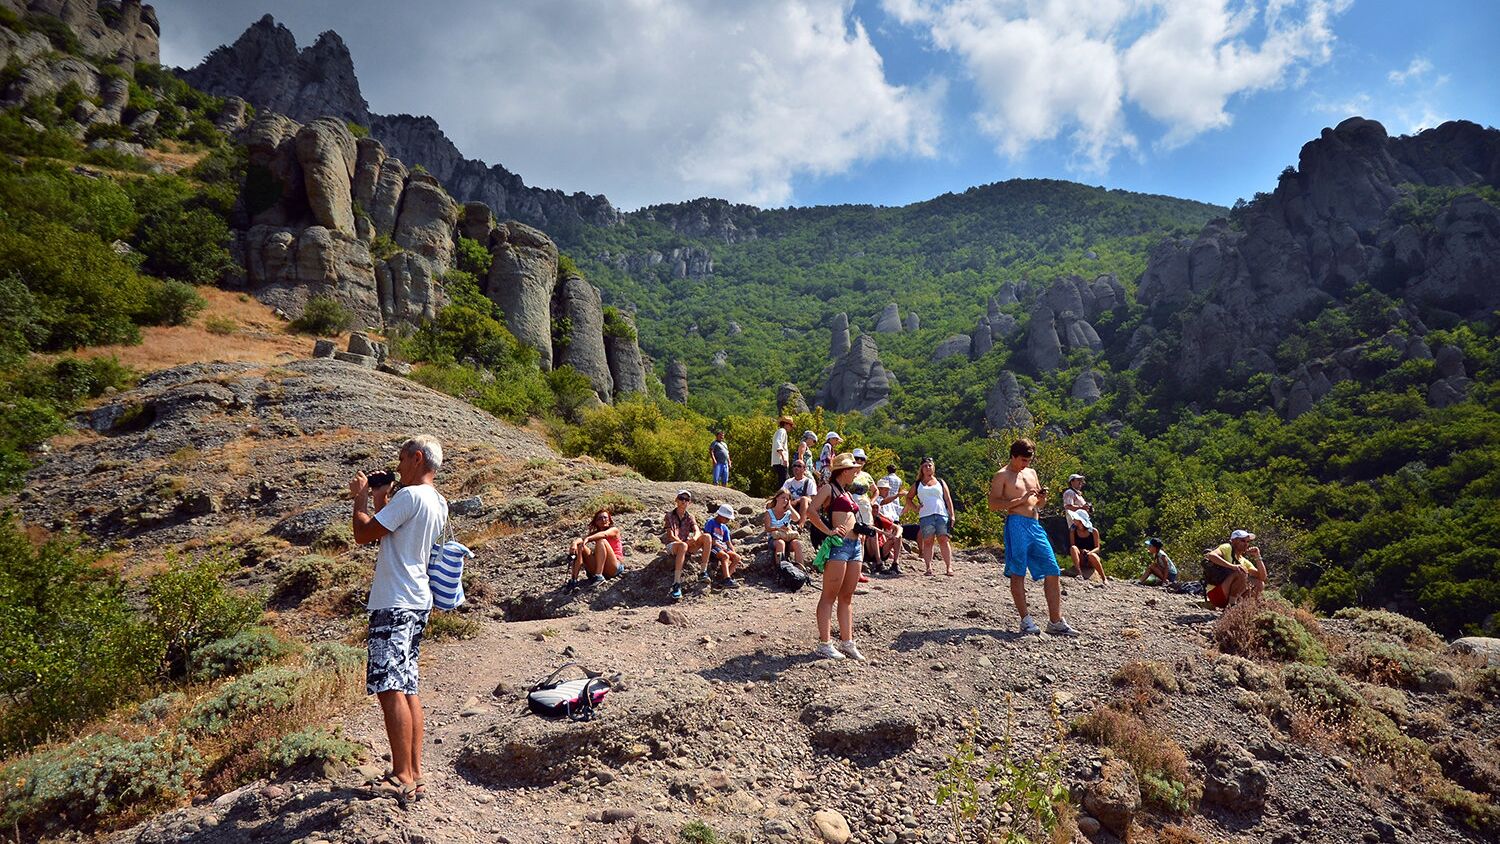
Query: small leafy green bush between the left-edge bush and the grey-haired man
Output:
(190,608)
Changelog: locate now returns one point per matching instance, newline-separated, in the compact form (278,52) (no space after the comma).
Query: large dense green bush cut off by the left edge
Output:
(71,647)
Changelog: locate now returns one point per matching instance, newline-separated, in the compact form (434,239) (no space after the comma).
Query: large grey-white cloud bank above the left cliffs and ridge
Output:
(646,101)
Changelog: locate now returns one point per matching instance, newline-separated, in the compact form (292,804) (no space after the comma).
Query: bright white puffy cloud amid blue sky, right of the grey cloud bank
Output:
(1046,68)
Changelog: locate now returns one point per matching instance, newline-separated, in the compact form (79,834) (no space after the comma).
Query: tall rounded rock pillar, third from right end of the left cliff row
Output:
(521,281)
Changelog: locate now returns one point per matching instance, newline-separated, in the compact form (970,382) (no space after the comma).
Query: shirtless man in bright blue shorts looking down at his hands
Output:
(1018,492)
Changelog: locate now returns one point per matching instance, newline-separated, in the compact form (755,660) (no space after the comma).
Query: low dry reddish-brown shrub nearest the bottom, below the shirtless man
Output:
(1159,761)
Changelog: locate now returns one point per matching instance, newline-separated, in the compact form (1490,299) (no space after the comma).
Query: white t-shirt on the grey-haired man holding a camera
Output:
(415,518)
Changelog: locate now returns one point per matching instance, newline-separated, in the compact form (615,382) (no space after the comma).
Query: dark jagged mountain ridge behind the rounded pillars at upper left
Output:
(266,68)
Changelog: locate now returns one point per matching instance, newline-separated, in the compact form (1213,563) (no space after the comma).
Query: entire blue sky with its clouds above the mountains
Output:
(893,101)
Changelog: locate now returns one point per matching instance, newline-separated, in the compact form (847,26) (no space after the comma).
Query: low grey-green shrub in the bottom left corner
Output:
(95,777)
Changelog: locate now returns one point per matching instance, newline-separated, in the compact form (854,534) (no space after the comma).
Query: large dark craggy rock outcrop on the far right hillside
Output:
(1331,224)
